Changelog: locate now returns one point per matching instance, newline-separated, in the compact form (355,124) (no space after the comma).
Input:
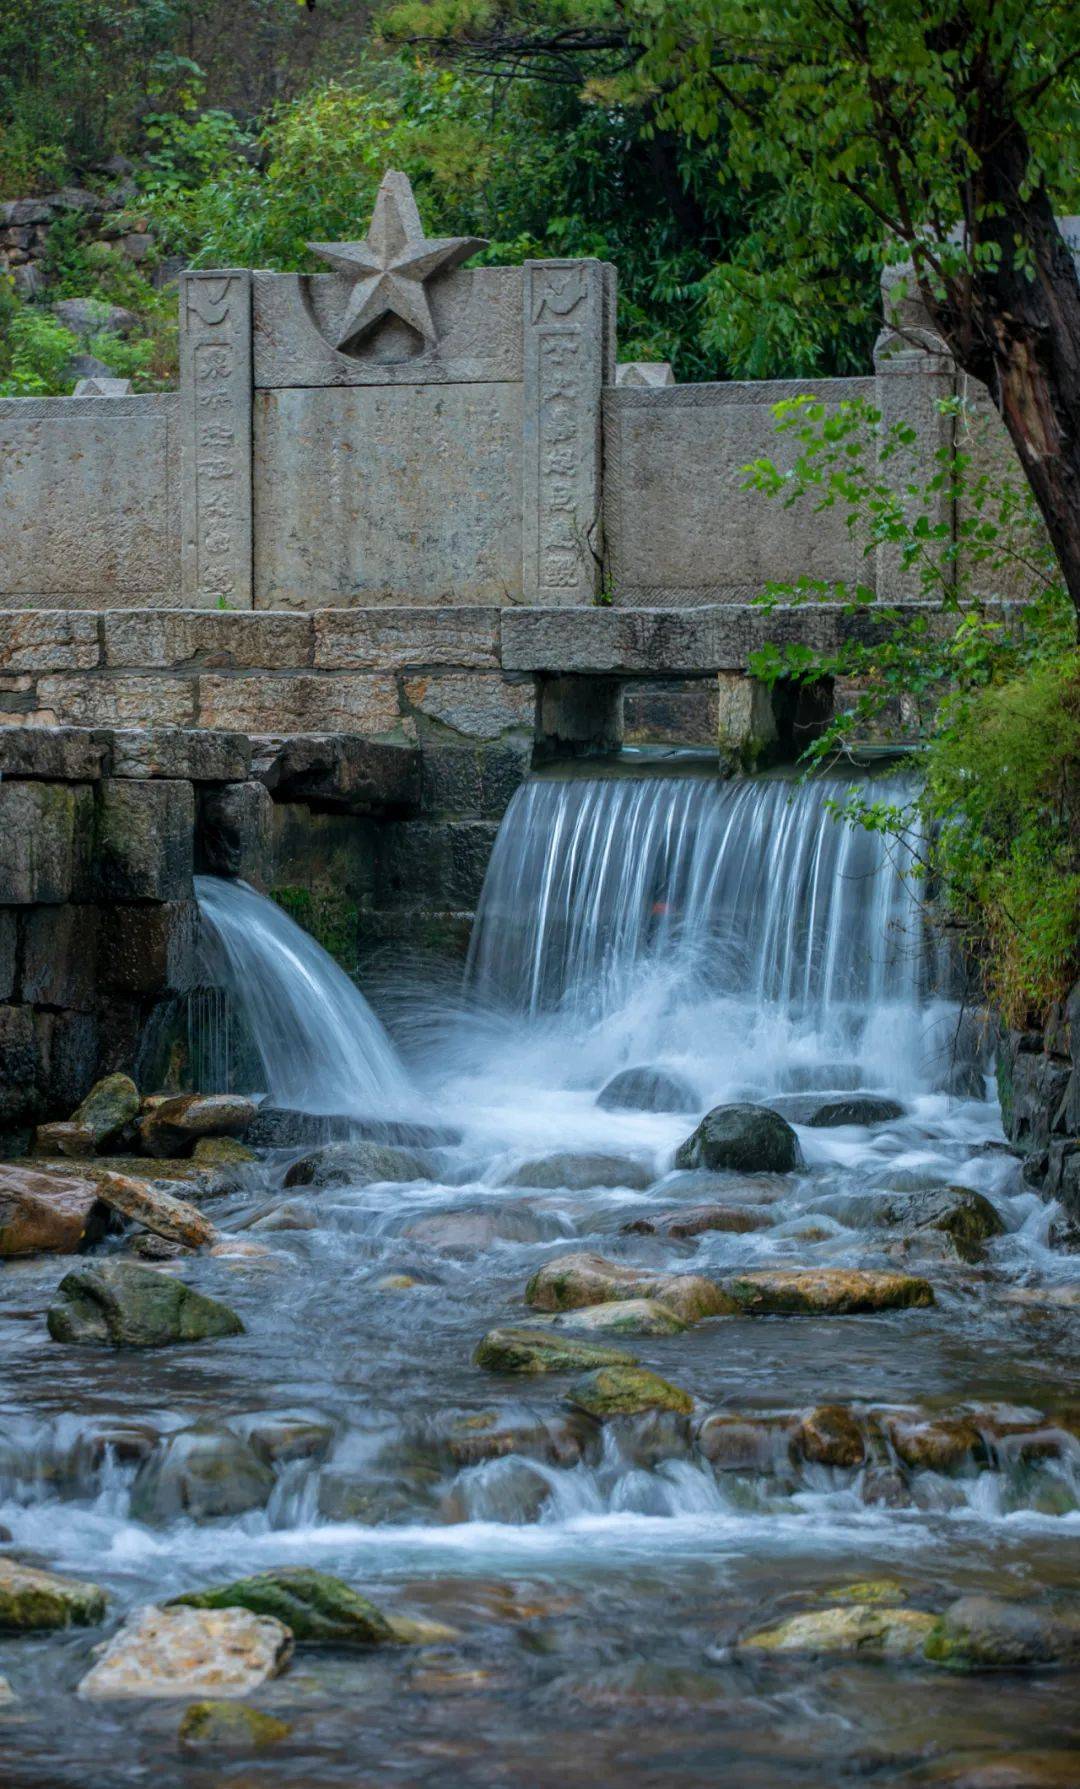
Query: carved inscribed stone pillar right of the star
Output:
(564,375)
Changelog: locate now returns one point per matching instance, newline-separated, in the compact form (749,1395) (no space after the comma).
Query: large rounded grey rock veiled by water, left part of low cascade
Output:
(201,1473)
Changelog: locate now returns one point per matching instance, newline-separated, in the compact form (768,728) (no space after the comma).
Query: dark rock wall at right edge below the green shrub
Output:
(1040,1092)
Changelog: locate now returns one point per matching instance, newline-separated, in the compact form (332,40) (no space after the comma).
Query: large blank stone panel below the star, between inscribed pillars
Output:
(387,495)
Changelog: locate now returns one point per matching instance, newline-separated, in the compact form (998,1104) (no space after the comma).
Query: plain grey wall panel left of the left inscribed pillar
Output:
(90,511)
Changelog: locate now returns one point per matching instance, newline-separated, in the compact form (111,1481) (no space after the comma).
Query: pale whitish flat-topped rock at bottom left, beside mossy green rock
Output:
(190,1652)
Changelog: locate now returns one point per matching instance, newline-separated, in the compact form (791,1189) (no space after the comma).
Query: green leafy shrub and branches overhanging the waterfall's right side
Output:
(986,688)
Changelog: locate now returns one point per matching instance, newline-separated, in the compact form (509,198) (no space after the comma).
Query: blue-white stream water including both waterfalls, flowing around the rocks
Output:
(739,938)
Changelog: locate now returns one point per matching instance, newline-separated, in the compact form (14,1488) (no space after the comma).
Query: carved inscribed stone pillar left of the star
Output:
(217,439)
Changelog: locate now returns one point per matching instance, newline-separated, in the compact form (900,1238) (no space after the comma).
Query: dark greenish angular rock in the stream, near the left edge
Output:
(126,1305)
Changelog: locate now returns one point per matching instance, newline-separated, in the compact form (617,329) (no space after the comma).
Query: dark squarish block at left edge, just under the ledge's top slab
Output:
(46,836)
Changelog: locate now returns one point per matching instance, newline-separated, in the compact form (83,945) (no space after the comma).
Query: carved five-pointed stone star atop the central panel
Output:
(392,264)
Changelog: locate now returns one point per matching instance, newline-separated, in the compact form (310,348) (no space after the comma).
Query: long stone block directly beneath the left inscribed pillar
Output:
(146,640)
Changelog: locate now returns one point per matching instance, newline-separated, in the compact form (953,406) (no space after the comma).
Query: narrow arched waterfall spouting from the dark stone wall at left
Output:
(319,1044)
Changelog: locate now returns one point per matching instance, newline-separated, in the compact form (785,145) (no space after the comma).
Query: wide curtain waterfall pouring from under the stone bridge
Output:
(696,915)
